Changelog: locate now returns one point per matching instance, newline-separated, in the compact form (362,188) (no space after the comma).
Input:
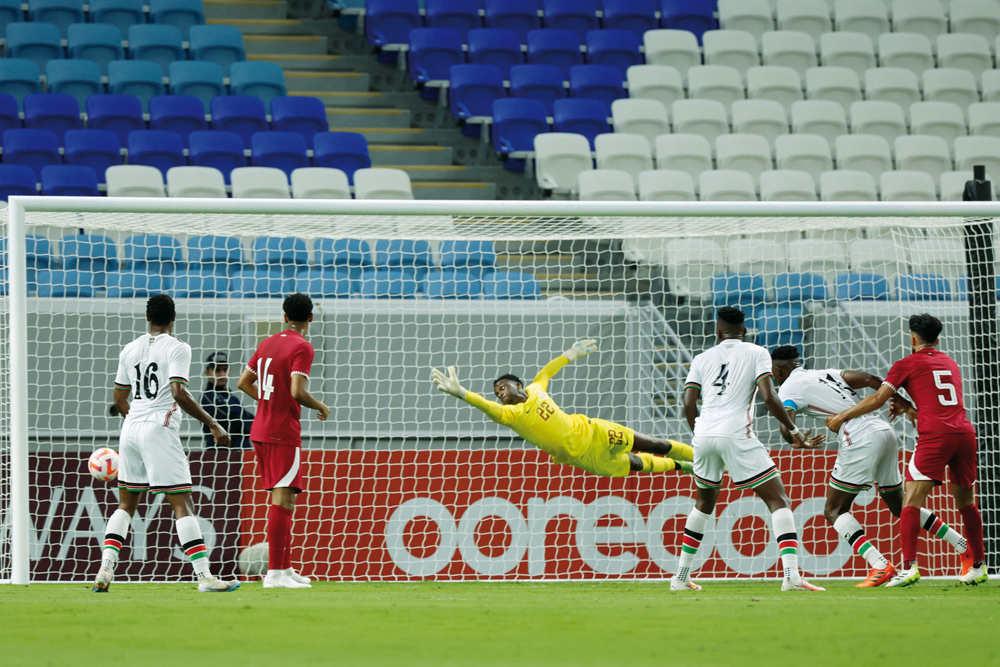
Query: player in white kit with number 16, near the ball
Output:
(150,386)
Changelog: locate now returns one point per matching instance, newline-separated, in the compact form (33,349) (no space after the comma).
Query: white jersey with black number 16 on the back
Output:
(146,367)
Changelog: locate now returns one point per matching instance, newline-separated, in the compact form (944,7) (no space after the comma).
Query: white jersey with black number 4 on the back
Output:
(727,376)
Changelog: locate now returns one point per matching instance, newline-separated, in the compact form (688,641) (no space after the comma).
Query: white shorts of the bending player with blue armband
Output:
(873,458)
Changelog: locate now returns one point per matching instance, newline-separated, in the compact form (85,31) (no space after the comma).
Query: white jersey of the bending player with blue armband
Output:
(820,394)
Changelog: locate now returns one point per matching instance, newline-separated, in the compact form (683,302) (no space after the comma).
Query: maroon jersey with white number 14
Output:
(274,363)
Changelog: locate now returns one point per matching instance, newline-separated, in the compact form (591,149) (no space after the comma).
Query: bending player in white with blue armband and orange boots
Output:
(869,452)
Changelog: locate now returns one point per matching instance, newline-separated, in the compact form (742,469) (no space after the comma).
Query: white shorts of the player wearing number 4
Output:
(746,459)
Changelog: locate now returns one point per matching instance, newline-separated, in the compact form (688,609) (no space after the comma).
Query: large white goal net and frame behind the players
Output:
(406,483)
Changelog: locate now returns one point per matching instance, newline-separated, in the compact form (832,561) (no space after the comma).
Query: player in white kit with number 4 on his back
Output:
(726,378)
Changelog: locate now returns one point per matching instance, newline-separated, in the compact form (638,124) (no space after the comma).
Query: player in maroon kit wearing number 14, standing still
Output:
(276,378)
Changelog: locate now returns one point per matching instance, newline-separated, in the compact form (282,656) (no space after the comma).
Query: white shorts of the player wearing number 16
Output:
(150,458)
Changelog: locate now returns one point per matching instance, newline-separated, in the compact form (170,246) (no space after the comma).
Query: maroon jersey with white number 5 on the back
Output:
(933,381)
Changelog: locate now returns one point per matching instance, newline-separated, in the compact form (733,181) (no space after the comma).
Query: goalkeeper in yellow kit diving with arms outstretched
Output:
(595,445)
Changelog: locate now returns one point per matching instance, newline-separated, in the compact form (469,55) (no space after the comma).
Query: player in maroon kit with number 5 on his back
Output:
(945,438)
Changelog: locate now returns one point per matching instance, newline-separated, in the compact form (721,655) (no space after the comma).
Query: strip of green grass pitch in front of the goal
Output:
(934,623)
